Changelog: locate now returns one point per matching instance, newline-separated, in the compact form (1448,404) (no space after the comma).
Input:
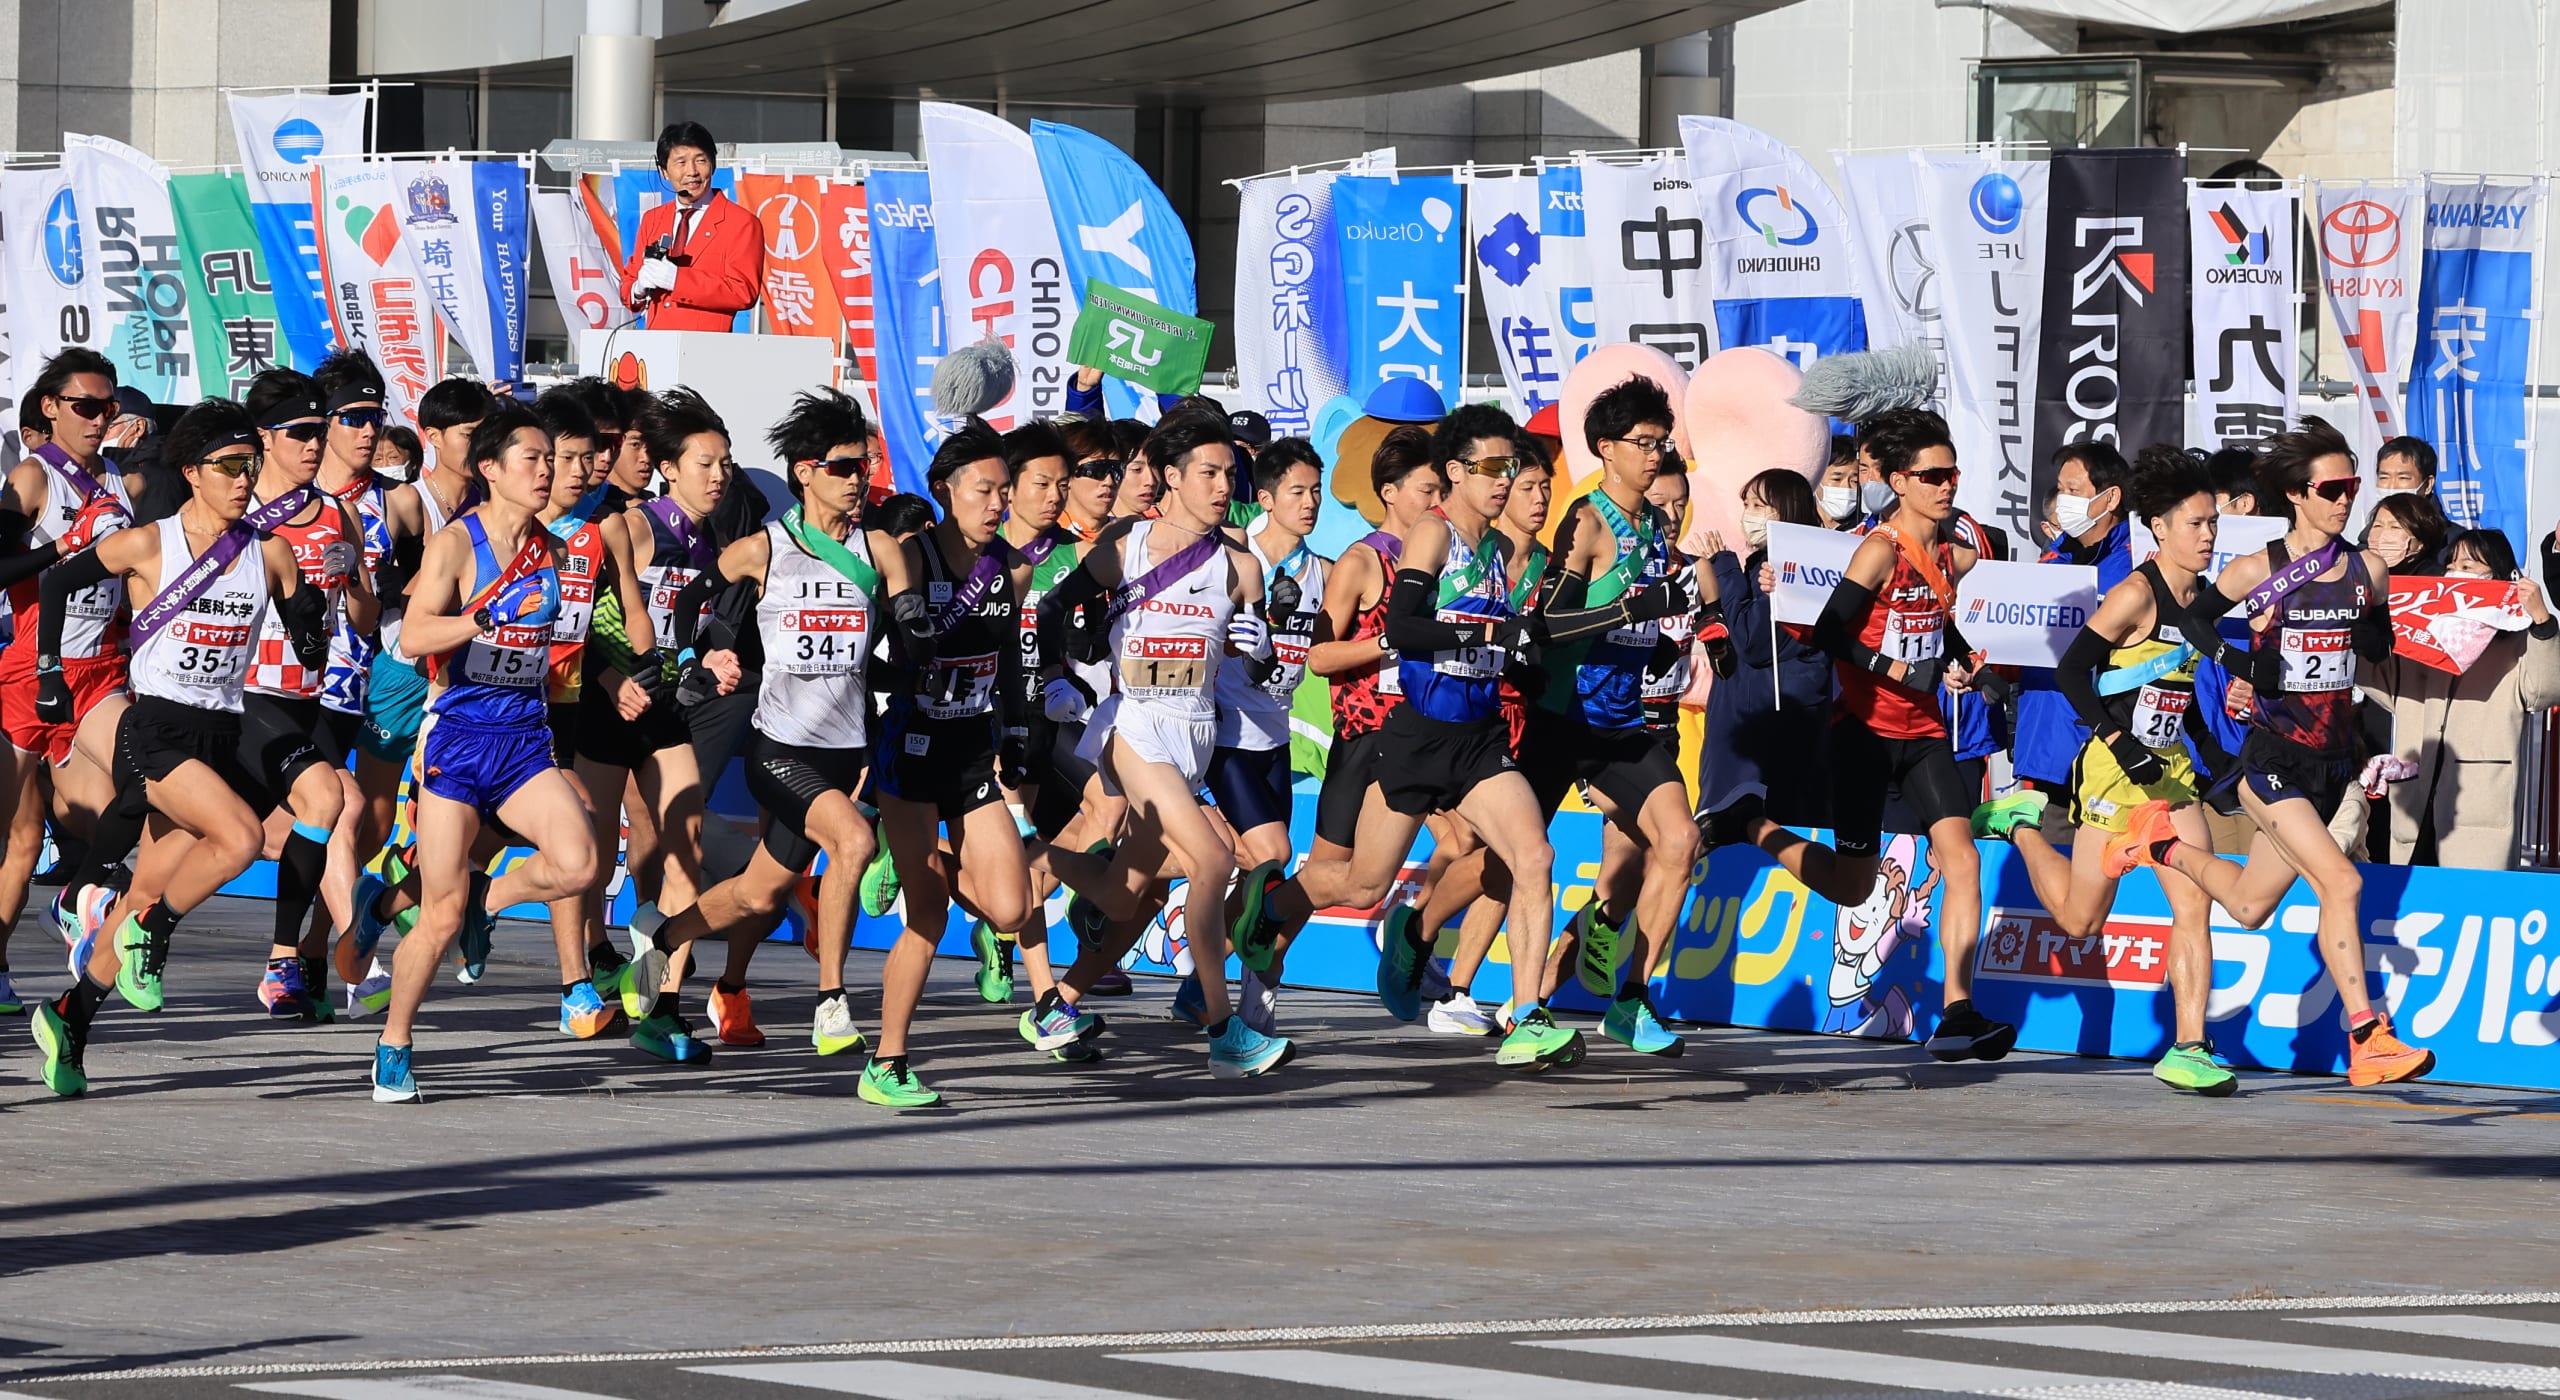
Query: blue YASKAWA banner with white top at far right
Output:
(2474,339)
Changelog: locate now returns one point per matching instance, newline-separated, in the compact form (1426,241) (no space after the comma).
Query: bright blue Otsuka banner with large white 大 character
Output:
(1404,280)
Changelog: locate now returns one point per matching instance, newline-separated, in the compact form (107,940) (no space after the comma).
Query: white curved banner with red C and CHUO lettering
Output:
(1002,273)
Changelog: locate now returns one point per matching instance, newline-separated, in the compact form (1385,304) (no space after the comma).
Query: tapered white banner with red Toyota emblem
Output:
(2369,270)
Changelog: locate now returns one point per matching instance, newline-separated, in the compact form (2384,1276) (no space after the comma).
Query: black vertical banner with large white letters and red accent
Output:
(2113,362)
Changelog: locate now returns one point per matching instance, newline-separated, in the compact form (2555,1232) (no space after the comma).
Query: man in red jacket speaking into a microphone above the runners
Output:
(716,252)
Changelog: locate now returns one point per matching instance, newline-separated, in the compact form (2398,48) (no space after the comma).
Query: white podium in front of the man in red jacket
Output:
(749,380)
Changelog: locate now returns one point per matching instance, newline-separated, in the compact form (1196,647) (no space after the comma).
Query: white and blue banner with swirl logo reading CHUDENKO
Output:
(1778,244)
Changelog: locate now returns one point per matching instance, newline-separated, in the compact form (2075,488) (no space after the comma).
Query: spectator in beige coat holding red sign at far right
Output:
(2467,731)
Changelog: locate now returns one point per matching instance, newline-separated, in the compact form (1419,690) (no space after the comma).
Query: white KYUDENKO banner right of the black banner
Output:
(2241,298)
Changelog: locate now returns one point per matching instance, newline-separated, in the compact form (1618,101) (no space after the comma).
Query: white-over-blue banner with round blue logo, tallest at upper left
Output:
(283,142)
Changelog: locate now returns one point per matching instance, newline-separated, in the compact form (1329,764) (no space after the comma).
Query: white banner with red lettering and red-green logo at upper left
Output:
(378,298)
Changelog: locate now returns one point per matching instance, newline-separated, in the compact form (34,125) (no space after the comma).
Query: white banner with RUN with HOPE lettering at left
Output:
(145,319)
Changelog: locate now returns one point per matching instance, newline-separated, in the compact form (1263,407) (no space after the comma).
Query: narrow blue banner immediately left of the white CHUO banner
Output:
(908,319)
